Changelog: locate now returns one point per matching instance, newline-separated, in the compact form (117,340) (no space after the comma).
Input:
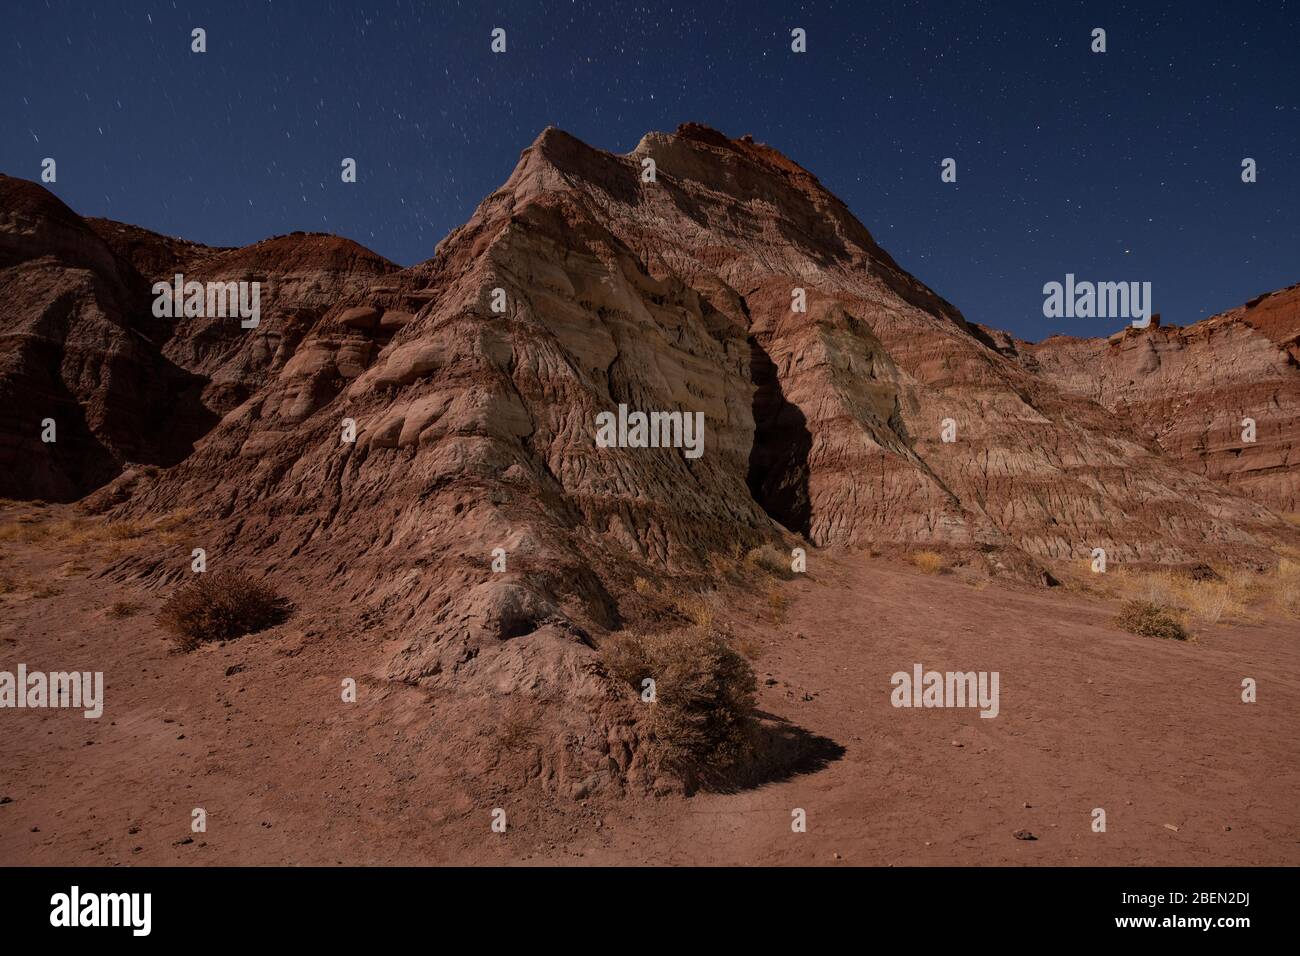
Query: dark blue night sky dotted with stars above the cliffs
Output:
(1124,166)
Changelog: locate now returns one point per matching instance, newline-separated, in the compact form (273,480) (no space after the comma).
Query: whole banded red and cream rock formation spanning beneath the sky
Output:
(423,447)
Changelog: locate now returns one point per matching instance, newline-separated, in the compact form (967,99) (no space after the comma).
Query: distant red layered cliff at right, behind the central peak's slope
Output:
(1221,397)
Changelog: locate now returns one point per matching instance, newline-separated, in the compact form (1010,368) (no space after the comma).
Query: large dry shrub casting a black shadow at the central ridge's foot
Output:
(703,716)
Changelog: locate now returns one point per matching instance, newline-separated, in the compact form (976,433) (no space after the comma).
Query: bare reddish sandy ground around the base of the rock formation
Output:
(1155,733)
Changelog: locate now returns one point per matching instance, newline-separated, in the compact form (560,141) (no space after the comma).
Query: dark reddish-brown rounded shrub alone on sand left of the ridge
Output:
(220,605)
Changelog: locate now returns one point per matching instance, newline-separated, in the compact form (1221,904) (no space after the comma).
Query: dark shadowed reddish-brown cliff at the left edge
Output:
(80,358)
